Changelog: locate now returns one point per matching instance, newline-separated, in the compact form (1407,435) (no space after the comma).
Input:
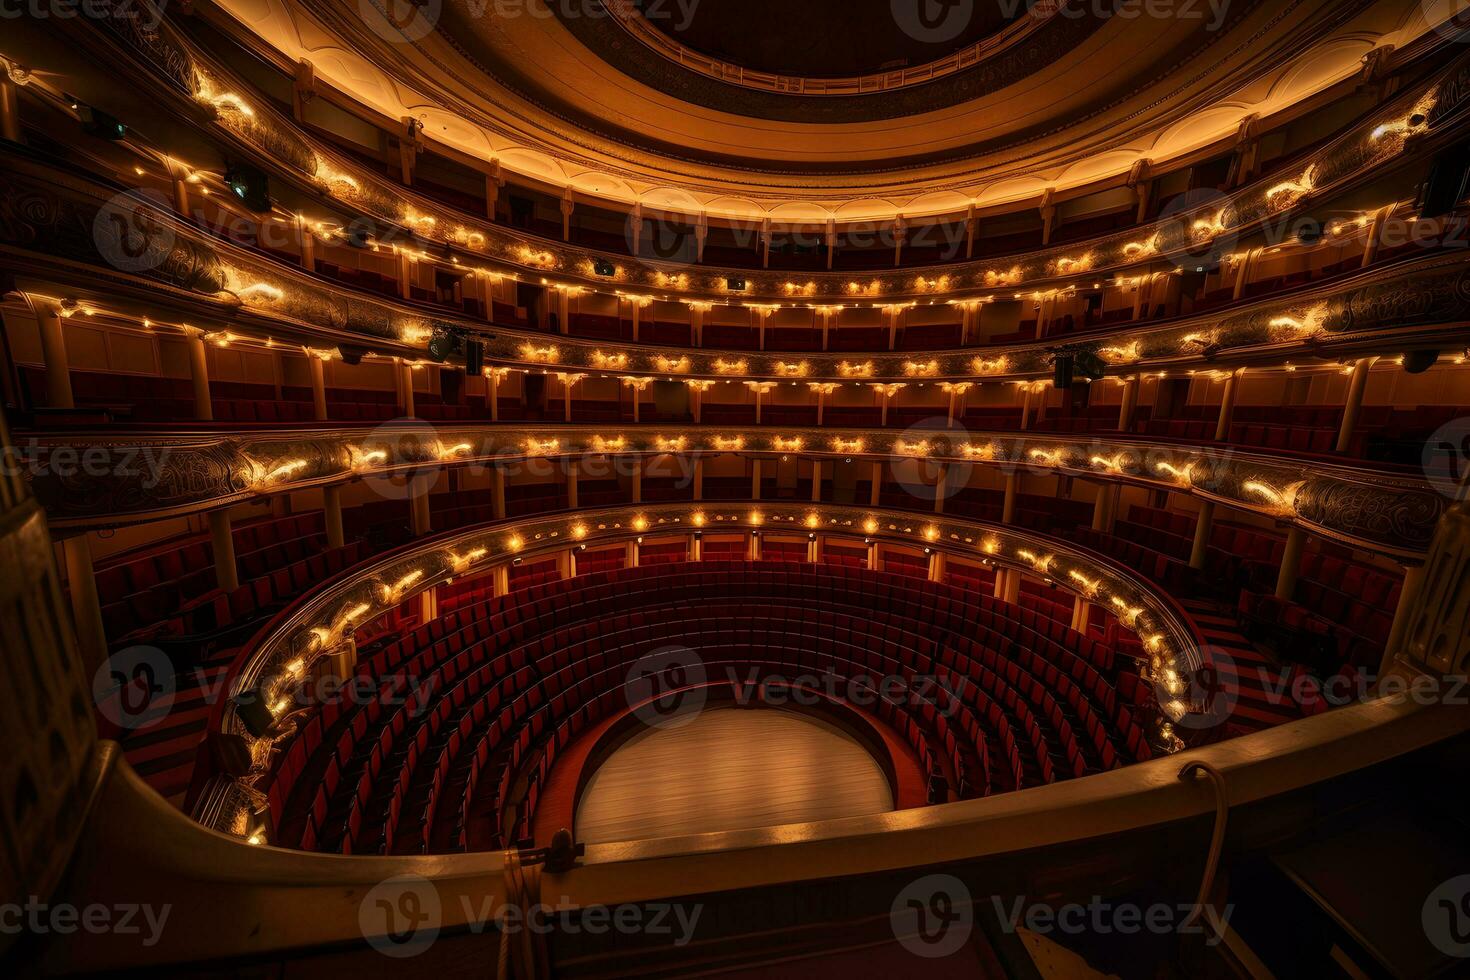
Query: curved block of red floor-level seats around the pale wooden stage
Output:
(505,684)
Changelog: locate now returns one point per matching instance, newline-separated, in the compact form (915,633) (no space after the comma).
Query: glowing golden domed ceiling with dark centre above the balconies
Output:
(806,111)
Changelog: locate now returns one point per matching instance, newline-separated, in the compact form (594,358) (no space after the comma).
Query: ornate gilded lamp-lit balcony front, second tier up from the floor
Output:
(101,480)
